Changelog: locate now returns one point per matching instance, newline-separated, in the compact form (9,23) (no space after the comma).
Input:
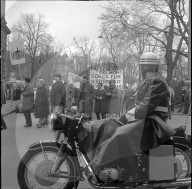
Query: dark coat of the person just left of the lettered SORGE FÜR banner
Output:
(88,93)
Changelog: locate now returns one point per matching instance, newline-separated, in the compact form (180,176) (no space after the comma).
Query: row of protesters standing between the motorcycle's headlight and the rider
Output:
(105,101)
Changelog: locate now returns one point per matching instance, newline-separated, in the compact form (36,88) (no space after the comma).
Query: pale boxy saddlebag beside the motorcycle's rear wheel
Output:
(161,163)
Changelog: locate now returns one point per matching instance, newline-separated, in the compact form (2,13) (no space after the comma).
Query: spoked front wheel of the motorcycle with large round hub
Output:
(34,167)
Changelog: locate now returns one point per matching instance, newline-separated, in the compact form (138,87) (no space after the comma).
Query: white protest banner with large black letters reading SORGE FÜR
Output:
(105,76)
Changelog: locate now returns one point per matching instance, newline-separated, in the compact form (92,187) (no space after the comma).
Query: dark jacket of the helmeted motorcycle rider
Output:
(152,98)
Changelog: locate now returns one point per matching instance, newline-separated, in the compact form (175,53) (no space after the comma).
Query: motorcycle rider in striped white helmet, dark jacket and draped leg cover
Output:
(149,128)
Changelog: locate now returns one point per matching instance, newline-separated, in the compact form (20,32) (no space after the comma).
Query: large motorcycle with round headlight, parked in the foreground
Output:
(58,164)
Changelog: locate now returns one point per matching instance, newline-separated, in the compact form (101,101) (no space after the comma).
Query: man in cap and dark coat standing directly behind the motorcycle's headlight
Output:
(57,94)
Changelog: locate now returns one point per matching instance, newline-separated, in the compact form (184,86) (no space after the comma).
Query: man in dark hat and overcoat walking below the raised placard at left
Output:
(27,101)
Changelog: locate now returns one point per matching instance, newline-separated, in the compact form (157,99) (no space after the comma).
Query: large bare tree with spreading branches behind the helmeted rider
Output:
(146,18)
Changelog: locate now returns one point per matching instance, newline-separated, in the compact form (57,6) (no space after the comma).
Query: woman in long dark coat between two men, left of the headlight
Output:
(42,103)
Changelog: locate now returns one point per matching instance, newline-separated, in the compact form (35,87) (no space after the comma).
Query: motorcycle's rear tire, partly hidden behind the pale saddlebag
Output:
(186,152)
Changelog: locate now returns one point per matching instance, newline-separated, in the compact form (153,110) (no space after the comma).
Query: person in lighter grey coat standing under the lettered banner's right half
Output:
(112,94)
